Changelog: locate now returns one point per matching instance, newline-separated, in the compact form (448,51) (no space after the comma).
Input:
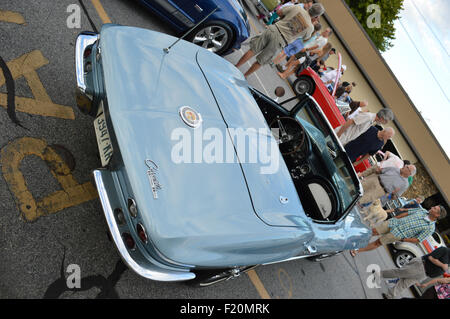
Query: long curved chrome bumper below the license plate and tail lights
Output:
(153,273)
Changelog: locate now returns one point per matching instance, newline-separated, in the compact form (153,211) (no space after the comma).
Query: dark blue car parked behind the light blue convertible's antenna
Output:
(221,33)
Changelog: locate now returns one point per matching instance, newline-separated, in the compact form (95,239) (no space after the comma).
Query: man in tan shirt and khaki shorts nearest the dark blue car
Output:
(295,22)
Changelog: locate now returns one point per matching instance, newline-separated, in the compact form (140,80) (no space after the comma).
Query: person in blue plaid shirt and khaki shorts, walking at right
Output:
(413,226)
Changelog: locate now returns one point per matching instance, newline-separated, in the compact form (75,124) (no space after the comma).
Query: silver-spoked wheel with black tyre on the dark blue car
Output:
(215,36)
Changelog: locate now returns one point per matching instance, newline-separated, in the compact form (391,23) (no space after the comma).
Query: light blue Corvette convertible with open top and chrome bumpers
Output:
(202,176)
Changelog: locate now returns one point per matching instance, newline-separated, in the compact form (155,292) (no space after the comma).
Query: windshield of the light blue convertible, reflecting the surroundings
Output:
(342,171)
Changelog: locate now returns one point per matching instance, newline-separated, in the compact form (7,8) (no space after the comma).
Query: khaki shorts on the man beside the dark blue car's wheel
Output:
(267,44)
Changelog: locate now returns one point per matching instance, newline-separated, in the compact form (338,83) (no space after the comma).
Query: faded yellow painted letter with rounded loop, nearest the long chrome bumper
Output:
(72,192)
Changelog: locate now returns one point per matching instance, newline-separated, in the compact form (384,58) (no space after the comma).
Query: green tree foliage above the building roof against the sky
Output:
(389,12)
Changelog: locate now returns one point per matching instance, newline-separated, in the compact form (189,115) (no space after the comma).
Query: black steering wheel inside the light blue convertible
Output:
(289,134)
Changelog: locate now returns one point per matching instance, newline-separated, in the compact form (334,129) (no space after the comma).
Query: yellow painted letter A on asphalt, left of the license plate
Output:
(41,104)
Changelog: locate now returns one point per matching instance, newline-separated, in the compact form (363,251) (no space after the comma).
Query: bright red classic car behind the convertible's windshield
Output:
(308,81)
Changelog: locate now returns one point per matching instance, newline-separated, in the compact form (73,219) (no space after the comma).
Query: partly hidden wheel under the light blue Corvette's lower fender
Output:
(206,278)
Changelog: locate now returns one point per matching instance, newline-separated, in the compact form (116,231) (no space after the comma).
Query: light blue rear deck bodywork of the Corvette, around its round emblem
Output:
(206,213)
